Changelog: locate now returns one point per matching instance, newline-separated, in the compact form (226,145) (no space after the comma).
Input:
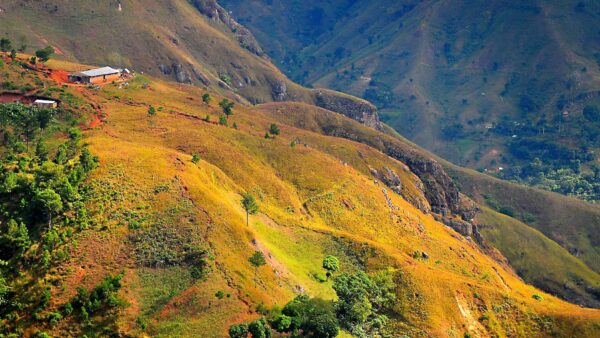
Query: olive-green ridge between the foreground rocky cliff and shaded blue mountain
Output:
(537,259)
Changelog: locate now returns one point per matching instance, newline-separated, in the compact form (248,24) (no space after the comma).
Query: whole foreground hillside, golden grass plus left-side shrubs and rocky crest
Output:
(166,248)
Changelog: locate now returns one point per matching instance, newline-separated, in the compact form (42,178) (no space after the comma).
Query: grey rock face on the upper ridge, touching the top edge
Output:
(212,10)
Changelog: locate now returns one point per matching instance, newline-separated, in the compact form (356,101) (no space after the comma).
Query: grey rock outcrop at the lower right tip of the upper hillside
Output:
(353,107)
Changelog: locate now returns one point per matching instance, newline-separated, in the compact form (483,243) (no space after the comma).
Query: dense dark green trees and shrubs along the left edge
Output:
(36,196)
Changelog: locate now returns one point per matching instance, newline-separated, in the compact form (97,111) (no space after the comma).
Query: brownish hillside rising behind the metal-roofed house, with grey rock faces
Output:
(194,42)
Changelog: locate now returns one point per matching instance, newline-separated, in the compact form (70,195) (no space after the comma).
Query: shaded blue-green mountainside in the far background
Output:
(482,83)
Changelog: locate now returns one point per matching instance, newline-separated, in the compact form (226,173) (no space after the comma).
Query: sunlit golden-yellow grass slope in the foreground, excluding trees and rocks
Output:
(316,198)
